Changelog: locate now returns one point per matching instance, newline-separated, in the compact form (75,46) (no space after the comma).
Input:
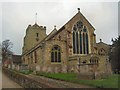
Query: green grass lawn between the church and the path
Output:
(109,82)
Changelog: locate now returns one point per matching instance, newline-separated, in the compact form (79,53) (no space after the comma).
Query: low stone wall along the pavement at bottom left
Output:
(23,80)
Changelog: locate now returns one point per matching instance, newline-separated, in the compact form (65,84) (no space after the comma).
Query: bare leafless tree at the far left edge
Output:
(6,49)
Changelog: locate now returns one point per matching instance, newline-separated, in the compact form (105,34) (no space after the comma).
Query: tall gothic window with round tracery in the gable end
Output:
(80,39)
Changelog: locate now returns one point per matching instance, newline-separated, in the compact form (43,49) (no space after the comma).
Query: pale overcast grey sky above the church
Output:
(16,16)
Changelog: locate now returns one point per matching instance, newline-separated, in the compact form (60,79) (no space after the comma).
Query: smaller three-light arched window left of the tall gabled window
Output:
(56,54)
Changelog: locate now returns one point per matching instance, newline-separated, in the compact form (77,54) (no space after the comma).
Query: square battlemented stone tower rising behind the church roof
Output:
(34,35)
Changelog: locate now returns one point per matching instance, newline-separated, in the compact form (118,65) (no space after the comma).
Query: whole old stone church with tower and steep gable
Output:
(72,48)
